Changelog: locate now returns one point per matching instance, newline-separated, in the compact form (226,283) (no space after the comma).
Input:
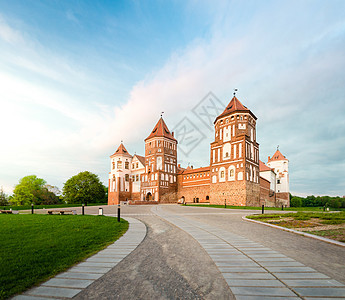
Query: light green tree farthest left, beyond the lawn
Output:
(25,192)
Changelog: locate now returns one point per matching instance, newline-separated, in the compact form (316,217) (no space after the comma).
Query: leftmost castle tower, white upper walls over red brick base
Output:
(119,188)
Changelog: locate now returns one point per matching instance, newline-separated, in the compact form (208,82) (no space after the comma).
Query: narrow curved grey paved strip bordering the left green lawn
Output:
(79,277)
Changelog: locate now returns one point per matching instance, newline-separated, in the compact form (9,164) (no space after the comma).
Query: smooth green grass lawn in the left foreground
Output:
(36,247)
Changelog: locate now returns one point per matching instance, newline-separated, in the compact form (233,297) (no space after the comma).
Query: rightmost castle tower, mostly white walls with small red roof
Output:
(280,164)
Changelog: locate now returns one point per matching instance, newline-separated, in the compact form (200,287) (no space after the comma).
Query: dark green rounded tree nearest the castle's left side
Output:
(84,188)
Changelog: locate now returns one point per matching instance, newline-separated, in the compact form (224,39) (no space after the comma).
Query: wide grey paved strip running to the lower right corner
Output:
(253,271)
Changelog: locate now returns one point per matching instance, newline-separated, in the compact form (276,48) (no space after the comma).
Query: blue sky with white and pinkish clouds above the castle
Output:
(79,77)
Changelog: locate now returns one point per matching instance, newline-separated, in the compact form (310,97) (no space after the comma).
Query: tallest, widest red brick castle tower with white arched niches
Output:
(234,164)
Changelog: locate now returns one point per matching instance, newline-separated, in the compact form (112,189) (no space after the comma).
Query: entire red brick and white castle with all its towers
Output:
(235,174)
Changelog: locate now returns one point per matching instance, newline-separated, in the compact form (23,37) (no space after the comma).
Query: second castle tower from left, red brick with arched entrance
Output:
(159,180)
